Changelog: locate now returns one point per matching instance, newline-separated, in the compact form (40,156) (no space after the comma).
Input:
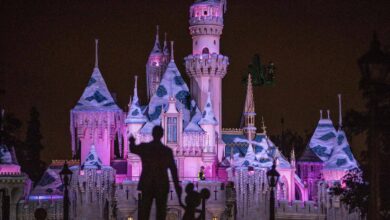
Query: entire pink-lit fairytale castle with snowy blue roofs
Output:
(235,161)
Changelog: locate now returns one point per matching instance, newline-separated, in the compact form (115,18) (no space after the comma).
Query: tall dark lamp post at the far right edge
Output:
(375,83)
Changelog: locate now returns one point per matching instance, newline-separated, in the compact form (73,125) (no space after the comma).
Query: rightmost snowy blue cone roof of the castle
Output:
(342,157)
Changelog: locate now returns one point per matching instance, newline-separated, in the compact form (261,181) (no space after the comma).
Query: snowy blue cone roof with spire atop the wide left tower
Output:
(96,96)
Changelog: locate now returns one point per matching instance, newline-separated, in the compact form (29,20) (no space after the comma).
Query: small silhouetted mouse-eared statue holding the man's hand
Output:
(192,200)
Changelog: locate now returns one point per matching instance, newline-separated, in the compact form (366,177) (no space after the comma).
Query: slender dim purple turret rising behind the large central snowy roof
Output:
(156,65)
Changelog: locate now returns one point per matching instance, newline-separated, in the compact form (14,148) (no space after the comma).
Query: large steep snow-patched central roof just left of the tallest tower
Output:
(172,84)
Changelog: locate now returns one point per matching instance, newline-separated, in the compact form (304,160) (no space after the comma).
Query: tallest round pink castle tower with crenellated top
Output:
(206,66)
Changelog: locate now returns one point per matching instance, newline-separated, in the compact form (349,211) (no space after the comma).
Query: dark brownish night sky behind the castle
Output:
(47,55)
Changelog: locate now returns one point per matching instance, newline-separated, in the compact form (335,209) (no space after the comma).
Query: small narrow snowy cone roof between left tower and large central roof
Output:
(135,114)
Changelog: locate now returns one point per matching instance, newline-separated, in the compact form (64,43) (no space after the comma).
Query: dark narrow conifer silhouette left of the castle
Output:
(33,165)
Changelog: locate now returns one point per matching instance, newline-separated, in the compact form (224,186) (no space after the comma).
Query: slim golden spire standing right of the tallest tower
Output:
(249,111)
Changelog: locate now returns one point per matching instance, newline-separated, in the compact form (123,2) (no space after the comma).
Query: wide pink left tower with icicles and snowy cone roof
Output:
(96,119)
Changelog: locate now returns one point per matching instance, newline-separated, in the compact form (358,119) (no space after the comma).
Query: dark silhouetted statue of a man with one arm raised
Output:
(154,182)
